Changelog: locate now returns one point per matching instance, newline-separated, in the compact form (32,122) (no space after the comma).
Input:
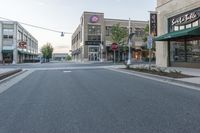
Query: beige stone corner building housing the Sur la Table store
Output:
(178,41)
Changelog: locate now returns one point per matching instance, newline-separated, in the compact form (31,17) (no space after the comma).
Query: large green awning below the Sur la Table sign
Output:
(195,31)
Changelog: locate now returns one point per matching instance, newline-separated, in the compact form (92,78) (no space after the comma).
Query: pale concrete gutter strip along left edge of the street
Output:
(7,84)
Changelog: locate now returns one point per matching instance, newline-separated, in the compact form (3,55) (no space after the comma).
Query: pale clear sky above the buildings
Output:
(64,15)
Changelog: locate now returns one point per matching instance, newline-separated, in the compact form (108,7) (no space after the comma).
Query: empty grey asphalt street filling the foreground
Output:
(96,101)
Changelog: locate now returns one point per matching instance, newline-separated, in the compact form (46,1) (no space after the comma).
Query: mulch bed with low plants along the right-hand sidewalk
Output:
(167,74)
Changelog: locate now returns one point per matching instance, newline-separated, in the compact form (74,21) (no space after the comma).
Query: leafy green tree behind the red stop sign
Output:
(119,36)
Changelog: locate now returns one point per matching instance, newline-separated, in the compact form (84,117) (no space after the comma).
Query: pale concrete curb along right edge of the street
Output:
(159,78)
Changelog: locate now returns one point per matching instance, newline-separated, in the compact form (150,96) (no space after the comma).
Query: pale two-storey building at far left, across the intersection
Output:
(17,45)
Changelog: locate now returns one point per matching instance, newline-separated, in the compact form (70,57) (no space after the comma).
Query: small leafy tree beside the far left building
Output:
(47,51)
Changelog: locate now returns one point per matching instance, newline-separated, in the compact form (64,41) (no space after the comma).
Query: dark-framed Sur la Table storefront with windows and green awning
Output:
(183,39)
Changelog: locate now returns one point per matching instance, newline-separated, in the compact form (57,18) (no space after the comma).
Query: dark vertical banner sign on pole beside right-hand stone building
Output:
(153,24)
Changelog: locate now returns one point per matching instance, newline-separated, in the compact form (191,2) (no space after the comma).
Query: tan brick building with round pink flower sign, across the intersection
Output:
(92,40)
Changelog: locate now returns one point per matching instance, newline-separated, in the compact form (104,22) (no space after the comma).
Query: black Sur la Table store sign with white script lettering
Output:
(186,18)
